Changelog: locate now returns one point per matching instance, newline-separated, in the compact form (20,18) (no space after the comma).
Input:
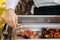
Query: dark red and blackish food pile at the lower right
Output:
(50,33)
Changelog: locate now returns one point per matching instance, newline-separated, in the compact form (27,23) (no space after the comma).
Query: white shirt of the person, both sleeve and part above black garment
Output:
(38,3)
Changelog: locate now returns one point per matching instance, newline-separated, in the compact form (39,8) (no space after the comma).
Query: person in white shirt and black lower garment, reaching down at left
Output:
(41,7)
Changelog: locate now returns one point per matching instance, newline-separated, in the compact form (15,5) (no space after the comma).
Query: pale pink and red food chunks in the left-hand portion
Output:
(28,34)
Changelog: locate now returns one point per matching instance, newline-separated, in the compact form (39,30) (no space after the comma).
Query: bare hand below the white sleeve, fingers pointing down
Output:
(11,18)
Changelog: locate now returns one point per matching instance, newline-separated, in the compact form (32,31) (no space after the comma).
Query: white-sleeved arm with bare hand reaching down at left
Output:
(11,18)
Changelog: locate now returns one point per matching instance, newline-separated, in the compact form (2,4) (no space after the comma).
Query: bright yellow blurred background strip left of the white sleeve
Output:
(2,12)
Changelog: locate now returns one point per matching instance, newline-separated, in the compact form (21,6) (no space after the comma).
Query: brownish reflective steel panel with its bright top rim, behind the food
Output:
(39,18)
